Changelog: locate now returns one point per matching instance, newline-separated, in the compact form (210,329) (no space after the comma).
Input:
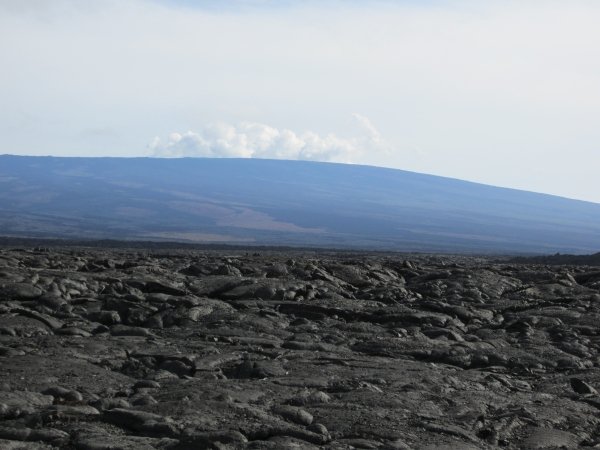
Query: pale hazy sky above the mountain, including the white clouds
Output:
(499,92)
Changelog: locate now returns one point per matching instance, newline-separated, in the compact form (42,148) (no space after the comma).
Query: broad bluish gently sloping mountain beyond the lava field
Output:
(271,202)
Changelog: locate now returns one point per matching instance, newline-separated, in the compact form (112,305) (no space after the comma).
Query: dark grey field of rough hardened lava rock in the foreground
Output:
(135,349)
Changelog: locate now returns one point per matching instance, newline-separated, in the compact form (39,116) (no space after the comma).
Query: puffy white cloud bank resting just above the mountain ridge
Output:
(256,140)
